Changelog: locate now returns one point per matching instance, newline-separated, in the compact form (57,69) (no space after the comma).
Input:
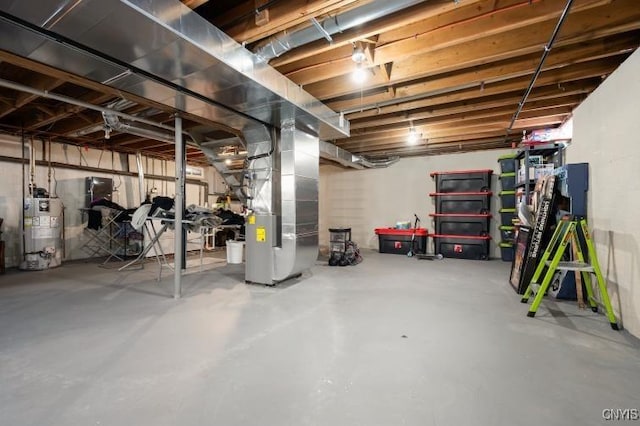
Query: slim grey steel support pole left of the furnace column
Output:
(178,203)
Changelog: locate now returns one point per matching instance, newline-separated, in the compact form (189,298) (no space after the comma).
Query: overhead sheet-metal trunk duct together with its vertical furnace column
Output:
(162,51)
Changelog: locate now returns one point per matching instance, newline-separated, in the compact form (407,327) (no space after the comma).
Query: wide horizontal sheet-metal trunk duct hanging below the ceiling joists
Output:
(163,51)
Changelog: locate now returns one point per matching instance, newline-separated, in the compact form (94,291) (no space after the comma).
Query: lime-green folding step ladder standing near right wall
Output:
(570,231)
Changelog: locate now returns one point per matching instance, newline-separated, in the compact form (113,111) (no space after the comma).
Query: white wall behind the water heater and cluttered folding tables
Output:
(70,188)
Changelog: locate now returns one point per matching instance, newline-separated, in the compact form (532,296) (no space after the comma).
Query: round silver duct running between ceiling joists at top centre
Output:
(284,41)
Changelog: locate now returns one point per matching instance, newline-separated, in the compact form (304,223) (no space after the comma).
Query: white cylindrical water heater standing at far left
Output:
(42,234)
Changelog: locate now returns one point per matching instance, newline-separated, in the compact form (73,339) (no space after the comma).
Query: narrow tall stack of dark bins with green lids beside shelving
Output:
(508,205)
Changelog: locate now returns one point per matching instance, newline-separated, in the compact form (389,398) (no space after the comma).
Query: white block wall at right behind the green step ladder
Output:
(606,133)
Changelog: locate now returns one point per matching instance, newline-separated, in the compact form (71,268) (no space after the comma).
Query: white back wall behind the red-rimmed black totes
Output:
(375,198)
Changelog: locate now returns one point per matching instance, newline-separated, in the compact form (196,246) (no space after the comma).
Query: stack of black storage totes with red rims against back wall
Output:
(463,213)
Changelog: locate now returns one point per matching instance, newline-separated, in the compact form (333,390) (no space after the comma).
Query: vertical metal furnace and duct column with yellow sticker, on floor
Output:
(282,234)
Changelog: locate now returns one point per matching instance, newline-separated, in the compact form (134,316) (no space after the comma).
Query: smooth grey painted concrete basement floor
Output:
(392,341)
